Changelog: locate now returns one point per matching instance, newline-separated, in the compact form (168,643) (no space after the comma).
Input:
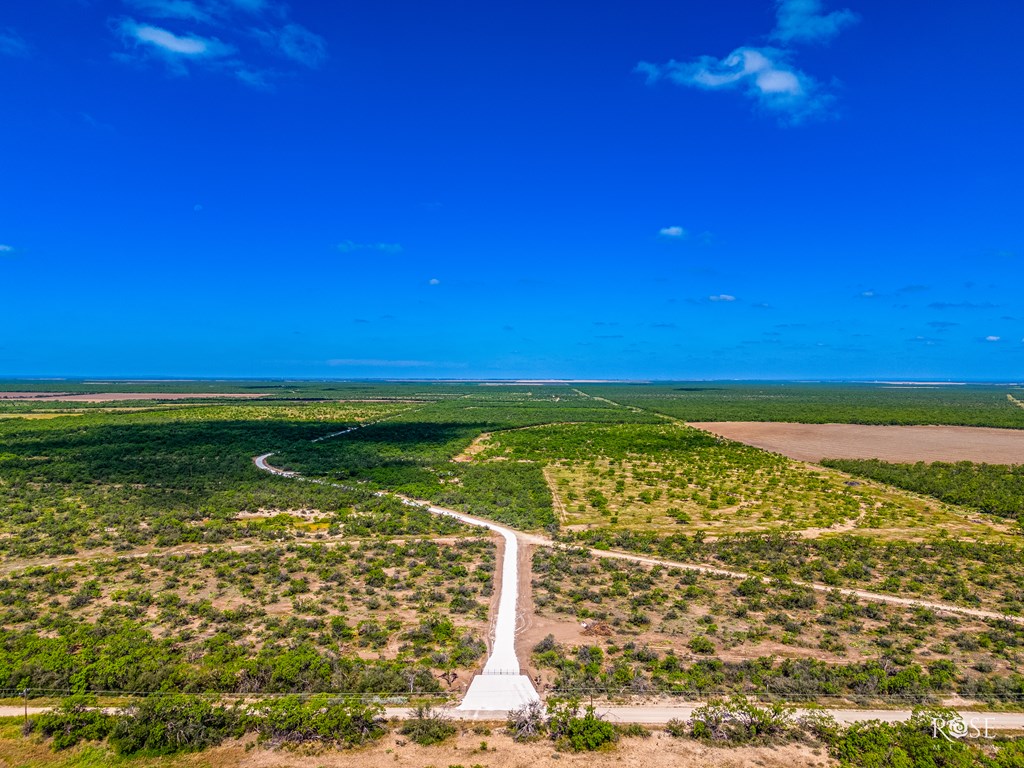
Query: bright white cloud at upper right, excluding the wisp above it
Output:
(762,74)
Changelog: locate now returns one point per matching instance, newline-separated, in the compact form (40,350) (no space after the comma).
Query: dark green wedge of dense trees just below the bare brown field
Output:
(996,489)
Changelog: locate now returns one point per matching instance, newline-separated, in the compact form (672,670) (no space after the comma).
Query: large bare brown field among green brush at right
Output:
(812,443)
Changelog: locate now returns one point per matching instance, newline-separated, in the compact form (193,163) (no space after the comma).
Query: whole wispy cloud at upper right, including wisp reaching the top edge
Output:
(766,74)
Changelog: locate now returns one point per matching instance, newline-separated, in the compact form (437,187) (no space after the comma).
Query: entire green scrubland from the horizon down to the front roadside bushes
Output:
(142,552)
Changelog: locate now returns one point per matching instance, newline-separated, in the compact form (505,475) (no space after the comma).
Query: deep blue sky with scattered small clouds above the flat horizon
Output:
(606,190)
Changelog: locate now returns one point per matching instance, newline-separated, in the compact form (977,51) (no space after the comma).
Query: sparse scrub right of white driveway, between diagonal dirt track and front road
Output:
(654,630)
